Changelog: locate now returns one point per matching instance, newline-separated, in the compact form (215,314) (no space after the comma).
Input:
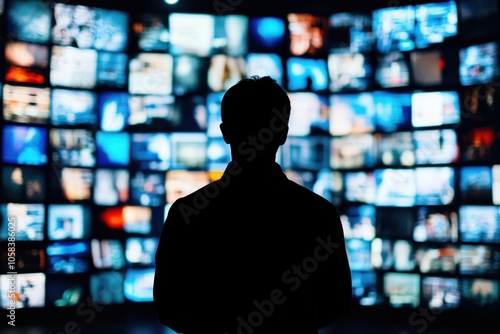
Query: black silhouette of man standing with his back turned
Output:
(252,252)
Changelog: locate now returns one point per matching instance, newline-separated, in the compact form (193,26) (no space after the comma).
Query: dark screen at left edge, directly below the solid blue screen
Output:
(23,184)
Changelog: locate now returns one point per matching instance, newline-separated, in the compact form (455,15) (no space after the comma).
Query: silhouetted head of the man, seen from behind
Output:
(255,107)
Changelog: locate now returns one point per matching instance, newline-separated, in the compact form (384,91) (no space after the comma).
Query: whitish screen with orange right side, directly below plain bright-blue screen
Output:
(111,186)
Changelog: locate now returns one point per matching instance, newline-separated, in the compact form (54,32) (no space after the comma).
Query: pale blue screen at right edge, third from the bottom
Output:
(479,223)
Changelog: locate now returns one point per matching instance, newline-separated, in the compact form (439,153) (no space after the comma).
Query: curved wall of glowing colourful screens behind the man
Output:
(110,116)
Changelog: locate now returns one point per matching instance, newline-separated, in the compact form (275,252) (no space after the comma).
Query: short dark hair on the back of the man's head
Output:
(252,104)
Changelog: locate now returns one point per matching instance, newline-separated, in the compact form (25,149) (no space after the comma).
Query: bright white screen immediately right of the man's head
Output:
(310,114)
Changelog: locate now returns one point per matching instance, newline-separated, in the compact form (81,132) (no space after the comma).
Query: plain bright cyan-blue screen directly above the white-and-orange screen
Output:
(113,149)
